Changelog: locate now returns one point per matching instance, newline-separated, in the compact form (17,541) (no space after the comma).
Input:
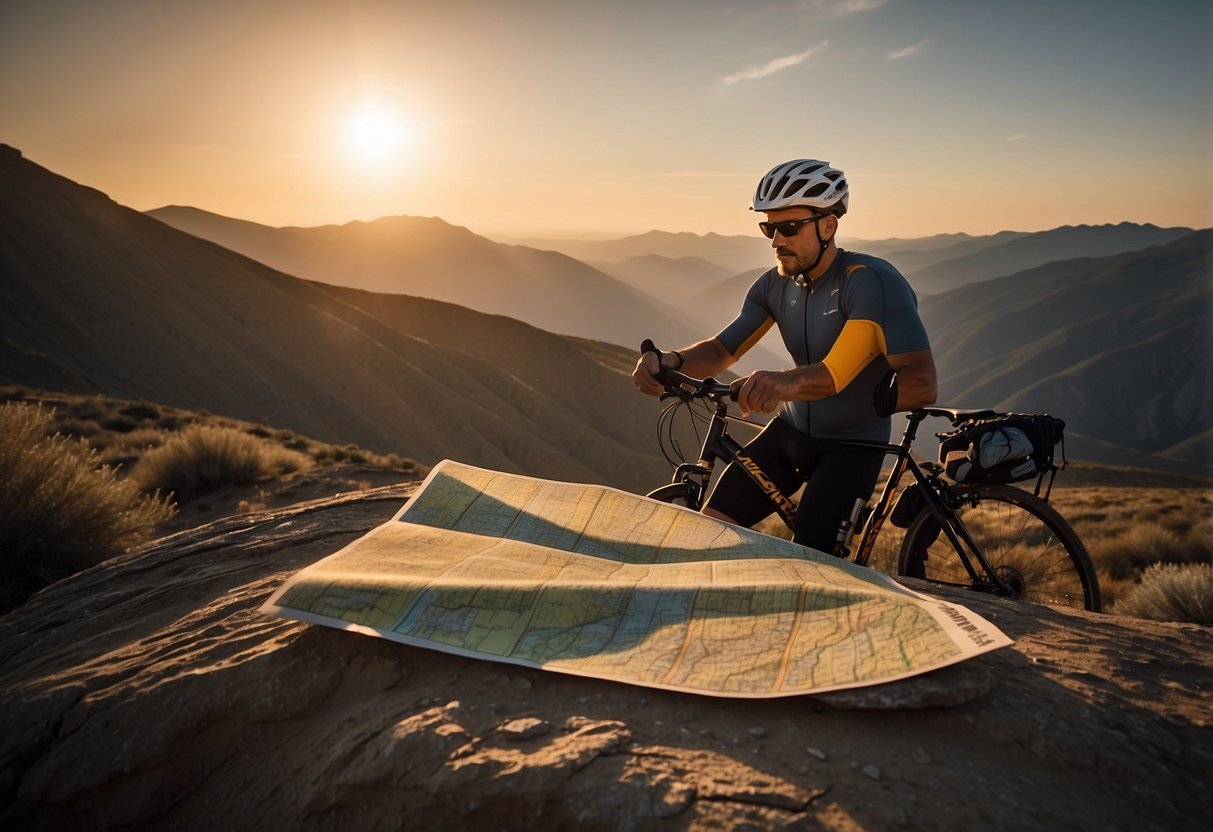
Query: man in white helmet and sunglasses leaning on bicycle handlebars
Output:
(848,322)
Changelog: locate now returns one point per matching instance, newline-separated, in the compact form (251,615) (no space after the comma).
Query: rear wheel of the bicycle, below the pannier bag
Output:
(1026,540)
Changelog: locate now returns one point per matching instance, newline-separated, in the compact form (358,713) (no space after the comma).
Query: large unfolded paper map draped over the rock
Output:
(599,583)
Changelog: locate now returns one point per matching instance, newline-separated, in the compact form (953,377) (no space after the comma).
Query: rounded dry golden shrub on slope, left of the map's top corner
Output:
(204,459)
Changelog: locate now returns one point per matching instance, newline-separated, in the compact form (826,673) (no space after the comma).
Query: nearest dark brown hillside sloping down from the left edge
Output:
(96,298)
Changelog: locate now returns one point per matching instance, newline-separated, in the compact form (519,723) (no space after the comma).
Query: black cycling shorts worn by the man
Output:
(836,476)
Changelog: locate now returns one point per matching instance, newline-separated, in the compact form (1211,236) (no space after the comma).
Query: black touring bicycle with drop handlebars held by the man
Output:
(989,538)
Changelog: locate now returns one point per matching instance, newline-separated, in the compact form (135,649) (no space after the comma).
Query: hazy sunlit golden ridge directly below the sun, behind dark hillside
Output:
(428,258)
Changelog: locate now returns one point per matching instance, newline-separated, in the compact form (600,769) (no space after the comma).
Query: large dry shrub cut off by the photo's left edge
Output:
(60,512)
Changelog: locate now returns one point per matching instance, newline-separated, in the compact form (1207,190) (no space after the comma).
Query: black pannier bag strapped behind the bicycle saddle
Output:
(1003,449)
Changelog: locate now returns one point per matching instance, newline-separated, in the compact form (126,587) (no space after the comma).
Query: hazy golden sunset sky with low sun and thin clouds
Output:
(578,118)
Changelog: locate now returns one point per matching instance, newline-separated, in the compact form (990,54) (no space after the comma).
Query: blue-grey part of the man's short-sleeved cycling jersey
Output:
(810,320)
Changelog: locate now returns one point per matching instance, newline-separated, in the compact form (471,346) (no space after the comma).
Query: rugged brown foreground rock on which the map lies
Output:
(151,692)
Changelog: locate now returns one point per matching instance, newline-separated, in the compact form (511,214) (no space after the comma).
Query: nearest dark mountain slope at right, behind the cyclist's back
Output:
(1119,346)
